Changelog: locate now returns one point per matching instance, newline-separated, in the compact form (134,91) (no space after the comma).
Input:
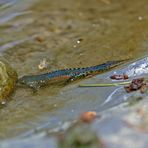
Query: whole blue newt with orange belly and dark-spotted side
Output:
(65,75)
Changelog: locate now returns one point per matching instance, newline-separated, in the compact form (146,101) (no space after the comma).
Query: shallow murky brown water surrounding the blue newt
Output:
(33,30)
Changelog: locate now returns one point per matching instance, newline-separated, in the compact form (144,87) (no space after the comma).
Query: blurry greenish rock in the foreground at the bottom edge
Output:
(80,135)
